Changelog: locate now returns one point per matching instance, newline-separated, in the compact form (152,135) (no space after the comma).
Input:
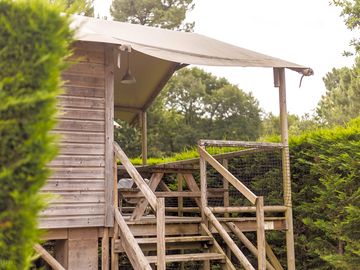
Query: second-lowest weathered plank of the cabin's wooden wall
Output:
(73,209)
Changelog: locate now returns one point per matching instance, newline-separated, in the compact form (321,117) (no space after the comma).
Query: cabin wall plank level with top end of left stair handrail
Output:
(81,149)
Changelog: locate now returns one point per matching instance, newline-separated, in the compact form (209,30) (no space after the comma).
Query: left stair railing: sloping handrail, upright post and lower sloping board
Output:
(158,206)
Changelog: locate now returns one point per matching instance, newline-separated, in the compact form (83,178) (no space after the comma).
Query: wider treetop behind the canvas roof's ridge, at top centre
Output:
(169,14)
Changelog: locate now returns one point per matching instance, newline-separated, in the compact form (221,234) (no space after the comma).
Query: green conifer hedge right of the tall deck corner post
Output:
(325,167)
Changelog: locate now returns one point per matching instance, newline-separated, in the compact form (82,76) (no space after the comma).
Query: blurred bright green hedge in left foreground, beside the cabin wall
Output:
(34,41)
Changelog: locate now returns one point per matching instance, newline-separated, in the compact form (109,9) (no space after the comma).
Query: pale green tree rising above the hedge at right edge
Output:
(342,99)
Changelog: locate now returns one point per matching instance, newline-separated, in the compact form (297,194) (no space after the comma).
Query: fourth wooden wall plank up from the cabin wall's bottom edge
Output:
(74,185)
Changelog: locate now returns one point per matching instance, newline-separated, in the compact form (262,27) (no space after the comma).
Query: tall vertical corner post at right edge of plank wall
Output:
(109,134)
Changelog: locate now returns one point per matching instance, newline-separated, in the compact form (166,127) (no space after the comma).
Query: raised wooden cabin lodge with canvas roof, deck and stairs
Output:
(118,71)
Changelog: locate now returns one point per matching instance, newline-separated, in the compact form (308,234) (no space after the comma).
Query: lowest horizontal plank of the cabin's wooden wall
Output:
(71,222)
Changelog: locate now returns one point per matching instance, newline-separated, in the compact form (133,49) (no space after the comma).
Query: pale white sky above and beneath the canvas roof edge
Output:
(307,32)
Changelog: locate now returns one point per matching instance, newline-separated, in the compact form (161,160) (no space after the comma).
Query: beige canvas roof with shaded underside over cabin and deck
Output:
(158,53)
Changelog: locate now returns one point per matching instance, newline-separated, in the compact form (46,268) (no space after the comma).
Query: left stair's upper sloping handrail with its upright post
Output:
(157,204)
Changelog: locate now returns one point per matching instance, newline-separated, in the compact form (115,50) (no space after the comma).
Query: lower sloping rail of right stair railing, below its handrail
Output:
(234,248)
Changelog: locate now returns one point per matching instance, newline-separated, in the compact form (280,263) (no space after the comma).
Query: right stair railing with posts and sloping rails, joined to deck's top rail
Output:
(257,201)
